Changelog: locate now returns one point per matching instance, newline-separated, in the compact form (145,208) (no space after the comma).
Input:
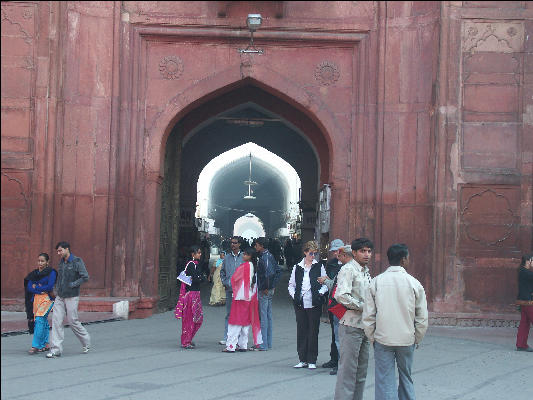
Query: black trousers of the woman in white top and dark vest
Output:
(307,326)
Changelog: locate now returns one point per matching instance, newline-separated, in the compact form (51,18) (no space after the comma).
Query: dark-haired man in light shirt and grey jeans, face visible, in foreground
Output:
(352,281)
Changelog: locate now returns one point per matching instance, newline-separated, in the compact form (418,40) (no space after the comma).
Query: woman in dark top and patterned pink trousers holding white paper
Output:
(189,307)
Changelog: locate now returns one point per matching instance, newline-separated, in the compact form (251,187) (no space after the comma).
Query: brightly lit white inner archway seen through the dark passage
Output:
(273,197)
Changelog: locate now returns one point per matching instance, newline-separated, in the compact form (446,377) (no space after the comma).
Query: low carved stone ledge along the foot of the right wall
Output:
(474,319)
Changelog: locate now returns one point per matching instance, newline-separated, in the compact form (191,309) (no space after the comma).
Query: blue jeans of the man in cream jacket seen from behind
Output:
(385,356)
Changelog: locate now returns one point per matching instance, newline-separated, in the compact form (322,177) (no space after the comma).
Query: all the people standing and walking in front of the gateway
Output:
(388,312)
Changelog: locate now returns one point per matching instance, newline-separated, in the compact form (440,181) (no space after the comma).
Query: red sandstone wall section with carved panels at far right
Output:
(484,169)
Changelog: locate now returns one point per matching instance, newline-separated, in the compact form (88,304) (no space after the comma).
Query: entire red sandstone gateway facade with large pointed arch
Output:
(416,114)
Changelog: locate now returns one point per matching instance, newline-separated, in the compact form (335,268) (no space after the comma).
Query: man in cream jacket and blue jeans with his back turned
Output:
(395,318)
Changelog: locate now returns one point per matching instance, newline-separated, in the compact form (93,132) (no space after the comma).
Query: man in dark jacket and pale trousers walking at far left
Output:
(71,274)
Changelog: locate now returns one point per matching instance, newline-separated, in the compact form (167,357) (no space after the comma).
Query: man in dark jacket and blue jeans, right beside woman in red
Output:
(268,274)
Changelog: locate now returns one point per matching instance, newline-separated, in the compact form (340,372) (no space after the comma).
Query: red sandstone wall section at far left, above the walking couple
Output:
(28,96)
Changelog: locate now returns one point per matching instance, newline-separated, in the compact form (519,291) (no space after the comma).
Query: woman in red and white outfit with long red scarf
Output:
(244,306)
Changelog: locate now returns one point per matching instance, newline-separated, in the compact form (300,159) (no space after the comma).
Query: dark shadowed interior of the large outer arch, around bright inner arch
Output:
(245,114)
